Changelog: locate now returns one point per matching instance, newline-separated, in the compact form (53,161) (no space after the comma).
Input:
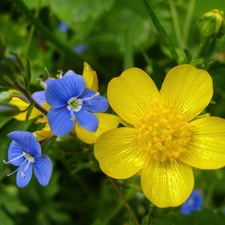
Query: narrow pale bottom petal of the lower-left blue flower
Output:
(23,181)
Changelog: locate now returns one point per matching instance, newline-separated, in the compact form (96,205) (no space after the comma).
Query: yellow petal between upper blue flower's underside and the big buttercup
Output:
(106,122)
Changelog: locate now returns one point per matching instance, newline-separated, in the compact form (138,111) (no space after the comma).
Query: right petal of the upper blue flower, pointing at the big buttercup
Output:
(98,104)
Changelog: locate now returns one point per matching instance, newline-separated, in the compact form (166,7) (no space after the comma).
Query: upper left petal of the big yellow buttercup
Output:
(131,93)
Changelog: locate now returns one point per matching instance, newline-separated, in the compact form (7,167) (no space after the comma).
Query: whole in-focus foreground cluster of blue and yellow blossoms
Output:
(163,136)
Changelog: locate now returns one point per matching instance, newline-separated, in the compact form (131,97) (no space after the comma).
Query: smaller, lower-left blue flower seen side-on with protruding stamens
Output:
(25,152)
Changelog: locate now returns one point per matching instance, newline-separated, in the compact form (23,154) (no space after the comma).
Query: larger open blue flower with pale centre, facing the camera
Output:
(71,101)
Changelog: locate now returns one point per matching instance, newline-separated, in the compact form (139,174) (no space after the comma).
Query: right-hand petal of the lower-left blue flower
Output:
(43,169)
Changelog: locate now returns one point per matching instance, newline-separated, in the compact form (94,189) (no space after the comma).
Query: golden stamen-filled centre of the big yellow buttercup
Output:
(163,132)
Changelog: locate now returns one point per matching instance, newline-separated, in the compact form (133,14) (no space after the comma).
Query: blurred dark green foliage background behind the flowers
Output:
(113,35)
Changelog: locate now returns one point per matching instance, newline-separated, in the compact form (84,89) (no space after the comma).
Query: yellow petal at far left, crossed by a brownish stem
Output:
(22,106)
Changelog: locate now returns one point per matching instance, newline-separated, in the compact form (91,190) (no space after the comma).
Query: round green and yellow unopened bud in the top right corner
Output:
(212,24)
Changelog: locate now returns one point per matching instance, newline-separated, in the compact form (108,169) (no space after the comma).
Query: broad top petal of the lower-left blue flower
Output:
(27,142)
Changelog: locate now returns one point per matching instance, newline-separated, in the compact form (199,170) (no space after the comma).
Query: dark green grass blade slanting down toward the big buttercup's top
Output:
(162,34)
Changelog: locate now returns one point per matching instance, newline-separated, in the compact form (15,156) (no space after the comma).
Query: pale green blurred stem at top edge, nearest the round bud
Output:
(187,21)
